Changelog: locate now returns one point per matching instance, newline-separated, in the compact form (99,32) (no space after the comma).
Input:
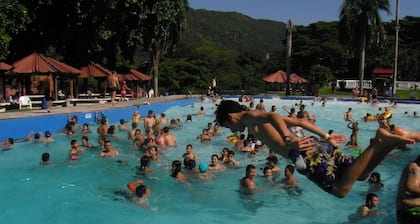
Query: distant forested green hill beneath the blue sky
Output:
(235,31)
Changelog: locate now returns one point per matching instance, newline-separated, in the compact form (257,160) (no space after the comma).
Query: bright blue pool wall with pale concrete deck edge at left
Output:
(17,124)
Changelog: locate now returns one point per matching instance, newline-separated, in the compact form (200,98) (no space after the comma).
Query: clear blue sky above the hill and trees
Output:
(300,12)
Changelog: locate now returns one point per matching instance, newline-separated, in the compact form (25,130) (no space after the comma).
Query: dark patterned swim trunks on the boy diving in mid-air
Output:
(323,163)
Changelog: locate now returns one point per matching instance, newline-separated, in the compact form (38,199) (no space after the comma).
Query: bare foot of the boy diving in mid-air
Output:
(387,139)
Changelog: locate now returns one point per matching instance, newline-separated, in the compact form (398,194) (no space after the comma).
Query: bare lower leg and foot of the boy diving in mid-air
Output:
(381,145)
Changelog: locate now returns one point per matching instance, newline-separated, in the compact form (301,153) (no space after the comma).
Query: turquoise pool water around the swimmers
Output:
(83,191)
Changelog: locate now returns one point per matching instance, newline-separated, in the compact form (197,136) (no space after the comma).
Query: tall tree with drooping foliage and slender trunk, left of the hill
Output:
(161,28)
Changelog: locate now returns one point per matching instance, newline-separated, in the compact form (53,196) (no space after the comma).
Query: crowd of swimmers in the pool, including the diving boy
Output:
(284,137)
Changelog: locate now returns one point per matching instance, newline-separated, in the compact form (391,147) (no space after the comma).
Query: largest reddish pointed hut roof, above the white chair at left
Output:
(38,64)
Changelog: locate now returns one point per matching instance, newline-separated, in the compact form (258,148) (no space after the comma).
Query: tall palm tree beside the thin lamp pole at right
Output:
(360,24)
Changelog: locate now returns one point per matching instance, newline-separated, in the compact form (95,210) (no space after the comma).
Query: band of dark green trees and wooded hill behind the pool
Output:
(193,46)
